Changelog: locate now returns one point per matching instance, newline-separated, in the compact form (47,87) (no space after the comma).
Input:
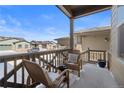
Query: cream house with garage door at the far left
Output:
(15,44)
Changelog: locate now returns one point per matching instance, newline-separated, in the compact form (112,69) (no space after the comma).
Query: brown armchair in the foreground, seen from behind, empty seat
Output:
(40,75)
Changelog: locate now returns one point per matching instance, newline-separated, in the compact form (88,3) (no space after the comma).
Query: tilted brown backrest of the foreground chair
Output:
(37,73)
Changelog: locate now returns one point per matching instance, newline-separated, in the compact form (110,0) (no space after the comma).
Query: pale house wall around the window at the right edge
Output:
(117,65)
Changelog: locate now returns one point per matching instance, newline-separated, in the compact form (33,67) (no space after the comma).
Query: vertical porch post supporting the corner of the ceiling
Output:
(71,33)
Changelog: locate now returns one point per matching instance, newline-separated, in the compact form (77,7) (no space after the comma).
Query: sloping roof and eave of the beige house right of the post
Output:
(94,31)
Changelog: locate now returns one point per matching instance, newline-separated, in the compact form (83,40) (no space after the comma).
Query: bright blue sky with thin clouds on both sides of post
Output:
(44,22)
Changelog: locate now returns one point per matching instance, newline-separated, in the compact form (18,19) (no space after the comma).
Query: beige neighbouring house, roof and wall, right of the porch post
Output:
(95,39)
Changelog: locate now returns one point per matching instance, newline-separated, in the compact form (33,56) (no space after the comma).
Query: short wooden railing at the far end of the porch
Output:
(92,56)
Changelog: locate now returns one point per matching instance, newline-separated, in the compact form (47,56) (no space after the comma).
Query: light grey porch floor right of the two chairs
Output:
(93,76)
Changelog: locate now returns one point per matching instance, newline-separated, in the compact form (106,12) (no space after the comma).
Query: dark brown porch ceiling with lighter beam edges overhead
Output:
(75,11)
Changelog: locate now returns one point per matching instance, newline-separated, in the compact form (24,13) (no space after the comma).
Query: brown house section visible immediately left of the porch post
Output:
(64,42)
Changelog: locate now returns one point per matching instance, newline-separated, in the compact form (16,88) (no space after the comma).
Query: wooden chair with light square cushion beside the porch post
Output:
(73,61)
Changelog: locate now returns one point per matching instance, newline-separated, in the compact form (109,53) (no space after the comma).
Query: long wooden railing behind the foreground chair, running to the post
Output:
(12,72)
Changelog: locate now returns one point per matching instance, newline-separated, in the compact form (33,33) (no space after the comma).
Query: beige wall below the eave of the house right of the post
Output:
(93,42)
